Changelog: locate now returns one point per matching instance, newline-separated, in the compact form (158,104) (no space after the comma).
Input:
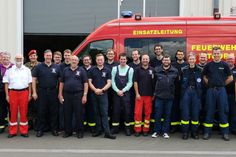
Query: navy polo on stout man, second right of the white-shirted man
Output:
(74,79)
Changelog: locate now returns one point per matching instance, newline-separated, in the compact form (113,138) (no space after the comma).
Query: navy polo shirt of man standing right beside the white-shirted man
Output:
(47,76)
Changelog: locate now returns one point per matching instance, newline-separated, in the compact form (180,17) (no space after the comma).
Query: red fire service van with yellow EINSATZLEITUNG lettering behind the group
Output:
(191,34)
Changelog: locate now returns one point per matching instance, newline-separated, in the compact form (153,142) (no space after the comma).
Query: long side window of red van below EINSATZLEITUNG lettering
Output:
(170,45)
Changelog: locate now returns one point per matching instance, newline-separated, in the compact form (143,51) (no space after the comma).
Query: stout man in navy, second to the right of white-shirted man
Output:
(73,95)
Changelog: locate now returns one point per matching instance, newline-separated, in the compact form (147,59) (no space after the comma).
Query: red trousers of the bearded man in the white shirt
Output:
(18,100)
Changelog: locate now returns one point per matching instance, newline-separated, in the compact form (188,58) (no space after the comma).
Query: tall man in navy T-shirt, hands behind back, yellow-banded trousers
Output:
(217,75)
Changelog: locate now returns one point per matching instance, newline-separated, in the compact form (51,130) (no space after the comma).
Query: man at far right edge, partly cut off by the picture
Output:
(230,88)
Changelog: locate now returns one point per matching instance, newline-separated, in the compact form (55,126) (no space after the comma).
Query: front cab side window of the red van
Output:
(95,48)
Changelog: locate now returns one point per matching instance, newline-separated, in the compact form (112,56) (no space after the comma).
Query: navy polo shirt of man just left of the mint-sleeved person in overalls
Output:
(99,77)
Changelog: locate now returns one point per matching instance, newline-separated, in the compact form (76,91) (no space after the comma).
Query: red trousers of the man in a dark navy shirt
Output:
(146,103)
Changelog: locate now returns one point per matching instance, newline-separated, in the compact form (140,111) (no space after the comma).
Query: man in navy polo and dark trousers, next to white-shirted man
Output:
(47,74)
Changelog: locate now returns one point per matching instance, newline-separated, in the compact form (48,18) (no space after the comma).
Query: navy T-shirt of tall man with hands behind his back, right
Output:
(216,73)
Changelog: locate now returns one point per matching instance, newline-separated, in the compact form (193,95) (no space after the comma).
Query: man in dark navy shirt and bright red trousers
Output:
(144,89)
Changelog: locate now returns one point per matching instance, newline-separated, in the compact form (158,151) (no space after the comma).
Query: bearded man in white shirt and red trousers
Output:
(17,82)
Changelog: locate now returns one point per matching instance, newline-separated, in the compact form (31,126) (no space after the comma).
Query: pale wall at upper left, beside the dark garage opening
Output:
(11,26)
